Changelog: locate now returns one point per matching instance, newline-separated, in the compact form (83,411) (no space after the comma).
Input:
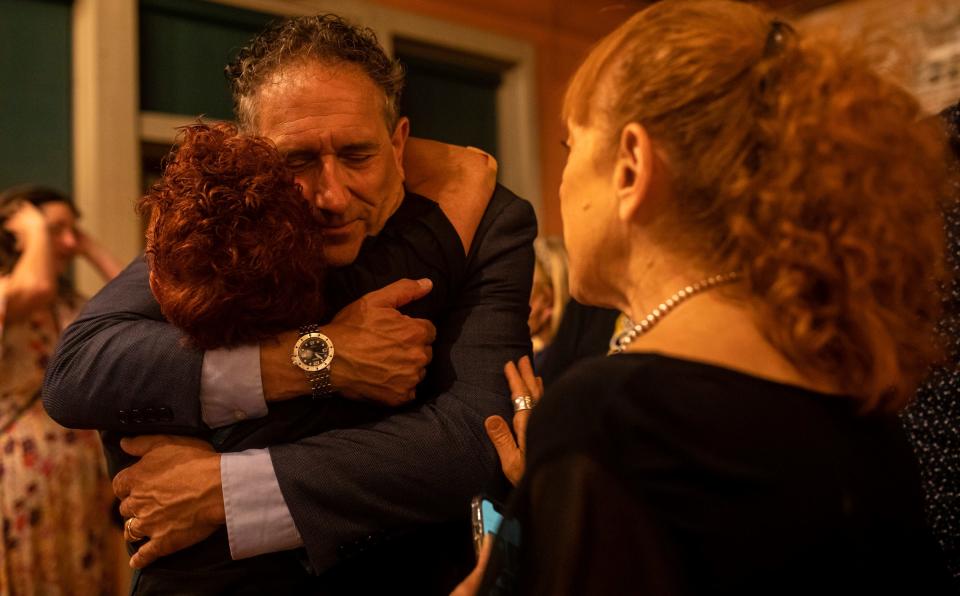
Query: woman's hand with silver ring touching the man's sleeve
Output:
(523,383)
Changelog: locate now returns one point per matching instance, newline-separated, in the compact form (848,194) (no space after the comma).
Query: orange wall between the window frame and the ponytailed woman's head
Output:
(562,32)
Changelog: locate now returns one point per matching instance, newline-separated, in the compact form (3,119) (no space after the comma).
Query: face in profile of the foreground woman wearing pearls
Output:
(588,209)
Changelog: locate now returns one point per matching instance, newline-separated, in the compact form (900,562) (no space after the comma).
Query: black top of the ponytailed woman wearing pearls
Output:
(649,474)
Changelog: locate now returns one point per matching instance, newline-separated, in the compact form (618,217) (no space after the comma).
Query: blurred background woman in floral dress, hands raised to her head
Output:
(54,494)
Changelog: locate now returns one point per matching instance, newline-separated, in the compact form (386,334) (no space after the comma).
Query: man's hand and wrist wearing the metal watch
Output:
(380,354)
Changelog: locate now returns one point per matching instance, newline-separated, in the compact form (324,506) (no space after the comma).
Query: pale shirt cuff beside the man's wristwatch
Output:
(230,386)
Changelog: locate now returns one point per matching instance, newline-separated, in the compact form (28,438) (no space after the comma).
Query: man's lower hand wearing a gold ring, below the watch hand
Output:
(172,496)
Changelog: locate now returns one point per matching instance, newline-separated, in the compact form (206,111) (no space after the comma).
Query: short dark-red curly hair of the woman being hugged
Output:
(235,252)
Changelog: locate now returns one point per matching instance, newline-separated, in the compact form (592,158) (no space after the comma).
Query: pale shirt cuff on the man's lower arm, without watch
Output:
(258,519)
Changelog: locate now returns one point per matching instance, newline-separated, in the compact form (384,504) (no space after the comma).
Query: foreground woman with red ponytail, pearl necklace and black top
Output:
(767,211)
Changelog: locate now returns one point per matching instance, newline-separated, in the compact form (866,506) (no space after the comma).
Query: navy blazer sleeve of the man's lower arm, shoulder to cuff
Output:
(423,463)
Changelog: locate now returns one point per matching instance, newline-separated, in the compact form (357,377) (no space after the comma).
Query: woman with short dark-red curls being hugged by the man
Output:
(236,253)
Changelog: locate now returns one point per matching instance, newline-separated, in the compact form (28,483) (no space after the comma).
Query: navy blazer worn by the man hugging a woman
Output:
(356,478)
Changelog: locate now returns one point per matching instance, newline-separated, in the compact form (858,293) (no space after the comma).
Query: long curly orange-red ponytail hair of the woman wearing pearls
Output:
(796,165)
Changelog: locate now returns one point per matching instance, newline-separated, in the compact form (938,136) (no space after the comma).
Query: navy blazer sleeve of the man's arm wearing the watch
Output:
(121,367)
